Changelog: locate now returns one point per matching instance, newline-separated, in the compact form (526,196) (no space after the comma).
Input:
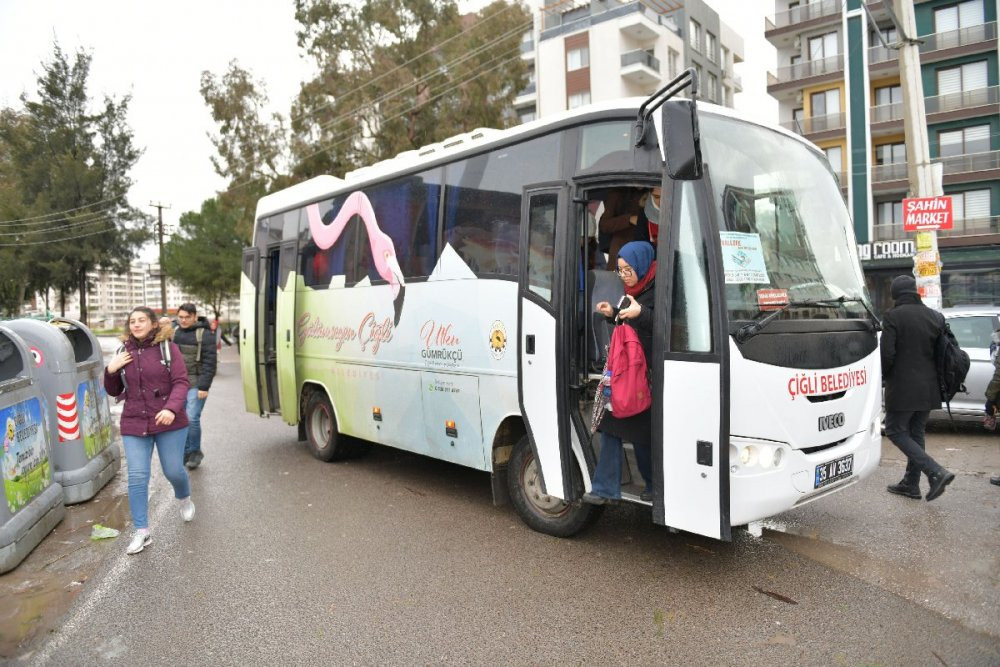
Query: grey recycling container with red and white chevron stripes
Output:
(69,367)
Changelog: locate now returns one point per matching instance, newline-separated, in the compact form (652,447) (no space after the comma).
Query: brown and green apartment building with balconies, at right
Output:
(959,60)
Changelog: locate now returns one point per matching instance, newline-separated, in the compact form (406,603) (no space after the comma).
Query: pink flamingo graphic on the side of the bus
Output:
(383,250)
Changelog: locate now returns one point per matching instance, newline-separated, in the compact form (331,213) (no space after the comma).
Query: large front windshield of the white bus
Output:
(783,225)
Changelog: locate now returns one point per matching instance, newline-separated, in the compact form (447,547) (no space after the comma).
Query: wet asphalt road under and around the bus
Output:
(399,559)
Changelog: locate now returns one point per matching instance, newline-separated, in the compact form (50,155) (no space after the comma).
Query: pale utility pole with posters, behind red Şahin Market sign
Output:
(924,177)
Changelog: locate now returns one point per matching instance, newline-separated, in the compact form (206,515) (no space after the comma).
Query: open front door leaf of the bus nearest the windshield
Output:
(691,374)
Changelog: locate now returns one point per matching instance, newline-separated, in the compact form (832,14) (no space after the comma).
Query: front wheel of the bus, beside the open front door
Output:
(539,511)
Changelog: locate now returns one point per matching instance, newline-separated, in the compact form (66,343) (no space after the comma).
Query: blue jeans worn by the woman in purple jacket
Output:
(139,454)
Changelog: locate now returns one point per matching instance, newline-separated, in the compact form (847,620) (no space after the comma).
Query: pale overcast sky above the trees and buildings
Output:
(156,51)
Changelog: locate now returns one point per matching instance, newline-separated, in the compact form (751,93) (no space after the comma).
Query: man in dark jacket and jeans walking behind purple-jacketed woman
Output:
(197,344)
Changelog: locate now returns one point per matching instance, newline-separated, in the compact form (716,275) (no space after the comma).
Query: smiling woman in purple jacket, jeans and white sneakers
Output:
(155,392)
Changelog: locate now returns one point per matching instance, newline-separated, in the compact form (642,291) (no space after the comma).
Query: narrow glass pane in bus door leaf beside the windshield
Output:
(691,320)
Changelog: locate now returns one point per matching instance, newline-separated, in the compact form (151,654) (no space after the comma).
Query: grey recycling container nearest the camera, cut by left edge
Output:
(32,501)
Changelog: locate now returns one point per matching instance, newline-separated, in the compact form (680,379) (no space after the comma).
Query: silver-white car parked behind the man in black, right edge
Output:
(973,327)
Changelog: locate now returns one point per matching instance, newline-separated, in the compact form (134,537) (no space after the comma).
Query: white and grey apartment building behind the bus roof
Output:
(582,52)
